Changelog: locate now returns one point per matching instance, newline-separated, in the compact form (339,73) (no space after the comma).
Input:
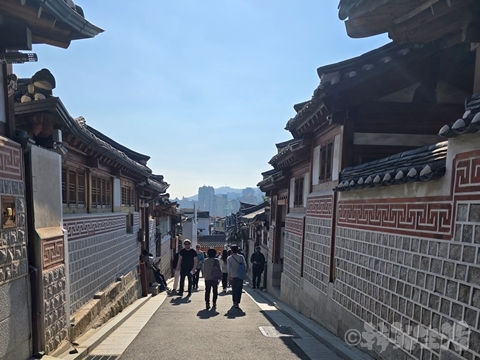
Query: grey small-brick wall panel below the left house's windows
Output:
(100,250)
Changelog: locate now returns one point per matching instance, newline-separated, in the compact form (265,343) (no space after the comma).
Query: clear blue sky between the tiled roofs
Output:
(203,87)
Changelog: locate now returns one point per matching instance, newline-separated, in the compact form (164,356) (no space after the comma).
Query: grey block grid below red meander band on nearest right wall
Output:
(416,282)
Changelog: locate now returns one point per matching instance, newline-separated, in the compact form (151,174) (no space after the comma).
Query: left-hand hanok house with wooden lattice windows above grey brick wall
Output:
(80,180)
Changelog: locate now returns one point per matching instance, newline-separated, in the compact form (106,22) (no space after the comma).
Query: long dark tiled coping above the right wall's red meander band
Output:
(422,164)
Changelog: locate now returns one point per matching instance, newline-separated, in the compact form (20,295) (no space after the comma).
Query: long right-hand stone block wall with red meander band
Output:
(407,268)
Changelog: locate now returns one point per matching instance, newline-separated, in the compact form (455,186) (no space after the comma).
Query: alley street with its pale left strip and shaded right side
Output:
(173,327)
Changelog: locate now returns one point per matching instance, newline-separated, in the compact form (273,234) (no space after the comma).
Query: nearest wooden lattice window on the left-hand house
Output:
(74,188)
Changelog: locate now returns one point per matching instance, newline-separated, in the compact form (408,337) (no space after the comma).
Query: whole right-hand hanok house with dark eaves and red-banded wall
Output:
(381,214)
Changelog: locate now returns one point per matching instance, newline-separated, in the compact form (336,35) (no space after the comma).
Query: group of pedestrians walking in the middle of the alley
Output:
(231,264)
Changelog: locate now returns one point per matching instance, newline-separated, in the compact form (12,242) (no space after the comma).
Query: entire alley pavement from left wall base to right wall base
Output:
(154,324)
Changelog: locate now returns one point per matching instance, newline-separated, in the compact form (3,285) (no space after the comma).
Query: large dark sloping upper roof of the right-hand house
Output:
(342,84)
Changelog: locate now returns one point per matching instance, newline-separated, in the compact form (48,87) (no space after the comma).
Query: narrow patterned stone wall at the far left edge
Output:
(15,318)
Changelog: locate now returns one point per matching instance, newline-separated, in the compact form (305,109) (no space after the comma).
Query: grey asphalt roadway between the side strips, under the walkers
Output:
(183,329)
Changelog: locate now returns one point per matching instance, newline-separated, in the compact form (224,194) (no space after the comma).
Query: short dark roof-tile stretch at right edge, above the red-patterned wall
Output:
(469,123)
